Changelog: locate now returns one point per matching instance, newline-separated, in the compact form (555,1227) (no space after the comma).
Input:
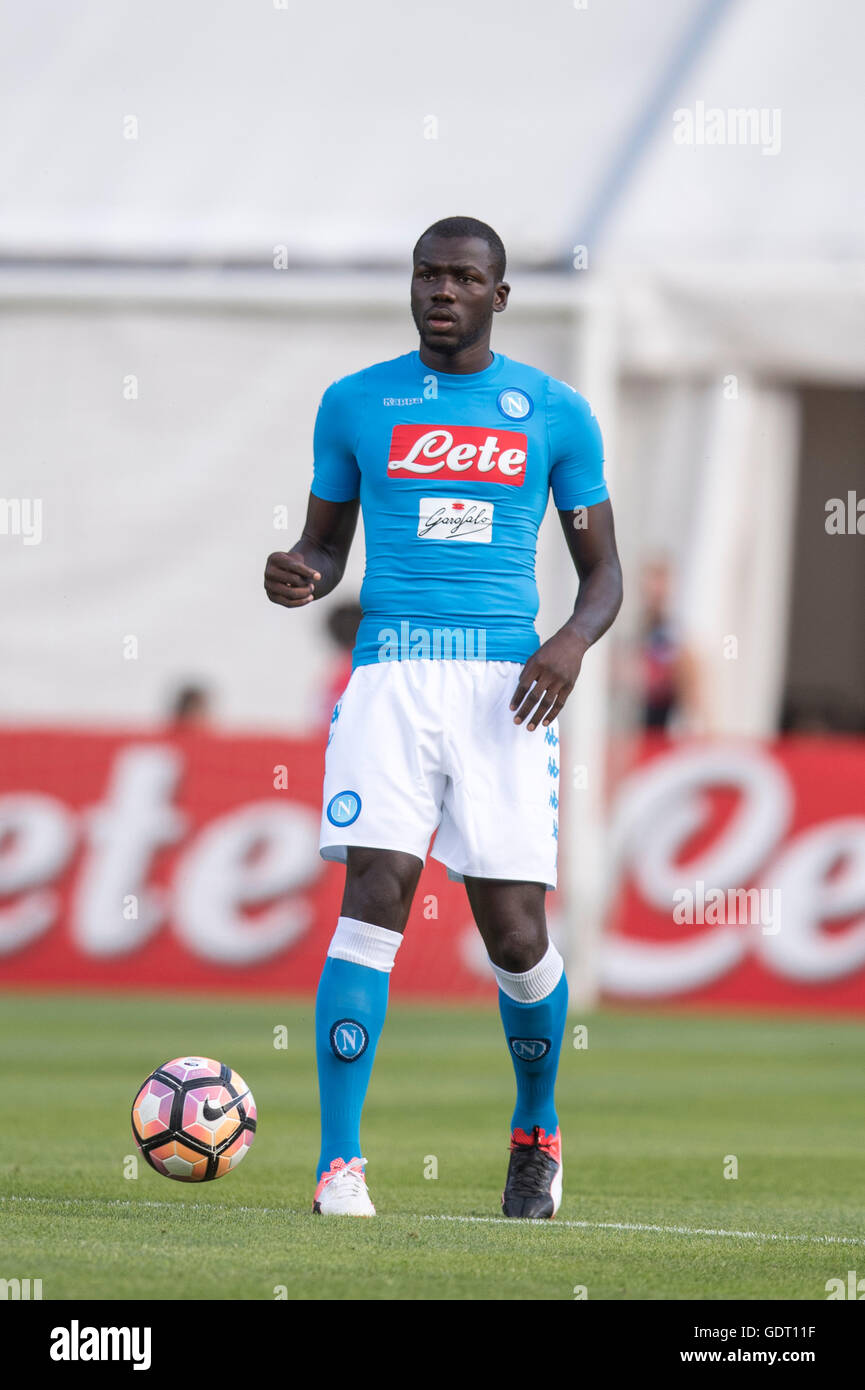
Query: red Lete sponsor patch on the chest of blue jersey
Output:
(461,451)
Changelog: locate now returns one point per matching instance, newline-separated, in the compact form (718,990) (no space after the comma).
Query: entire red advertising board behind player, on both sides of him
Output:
(137,861)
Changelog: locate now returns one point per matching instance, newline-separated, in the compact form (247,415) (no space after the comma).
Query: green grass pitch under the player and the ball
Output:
(654,1111)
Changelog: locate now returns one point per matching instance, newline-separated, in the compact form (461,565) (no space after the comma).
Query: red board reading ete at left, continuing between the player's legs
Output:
(140,861)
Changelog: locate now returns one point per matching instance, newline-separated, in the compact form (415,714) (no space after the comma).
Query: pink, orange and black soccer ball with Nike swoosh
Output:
(194,1120)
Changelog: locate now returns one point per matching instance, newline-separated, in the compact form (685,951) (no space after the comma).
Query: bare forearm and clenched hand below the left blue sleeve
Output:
(316,564)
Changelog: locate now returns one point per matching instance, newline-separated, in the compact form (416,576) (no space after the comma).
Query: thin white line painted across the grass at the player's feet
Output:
(472,1221)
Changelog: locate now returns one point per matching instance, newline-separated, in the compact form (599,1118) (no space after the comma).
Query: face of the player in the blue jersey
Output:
(455,293)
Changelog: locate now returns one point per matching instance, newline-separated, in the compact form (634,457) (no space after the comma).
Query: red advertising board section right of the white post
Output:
(741,875)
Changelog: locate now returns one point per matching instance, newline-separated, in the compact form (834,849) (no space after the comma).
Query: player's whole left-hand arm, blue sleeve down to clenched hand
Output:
(316,564)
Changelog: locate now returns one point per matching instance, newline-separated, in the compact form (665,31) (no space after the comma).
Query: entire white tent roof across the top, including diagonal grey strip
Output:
(223,130)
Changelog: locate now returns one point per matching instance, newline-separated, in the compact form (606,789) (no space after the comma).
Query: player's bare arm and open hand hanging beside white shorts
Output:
(551,673)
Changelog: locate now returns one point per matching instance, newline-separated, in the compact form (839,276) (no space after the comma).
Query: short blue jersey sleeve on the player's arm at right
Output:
(576,450)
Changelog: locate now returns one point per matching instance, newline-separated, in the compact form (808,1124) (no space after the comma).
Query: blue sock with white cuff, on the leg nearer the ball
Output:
(351,1008)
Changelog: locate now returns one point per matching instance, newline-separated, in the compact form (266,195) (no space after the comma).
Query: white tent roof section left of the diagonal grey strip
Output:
(340,131)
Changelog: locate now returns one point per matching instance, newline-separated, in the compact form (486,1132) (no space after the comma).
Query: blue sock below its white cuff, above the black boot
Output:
(535,1033)
